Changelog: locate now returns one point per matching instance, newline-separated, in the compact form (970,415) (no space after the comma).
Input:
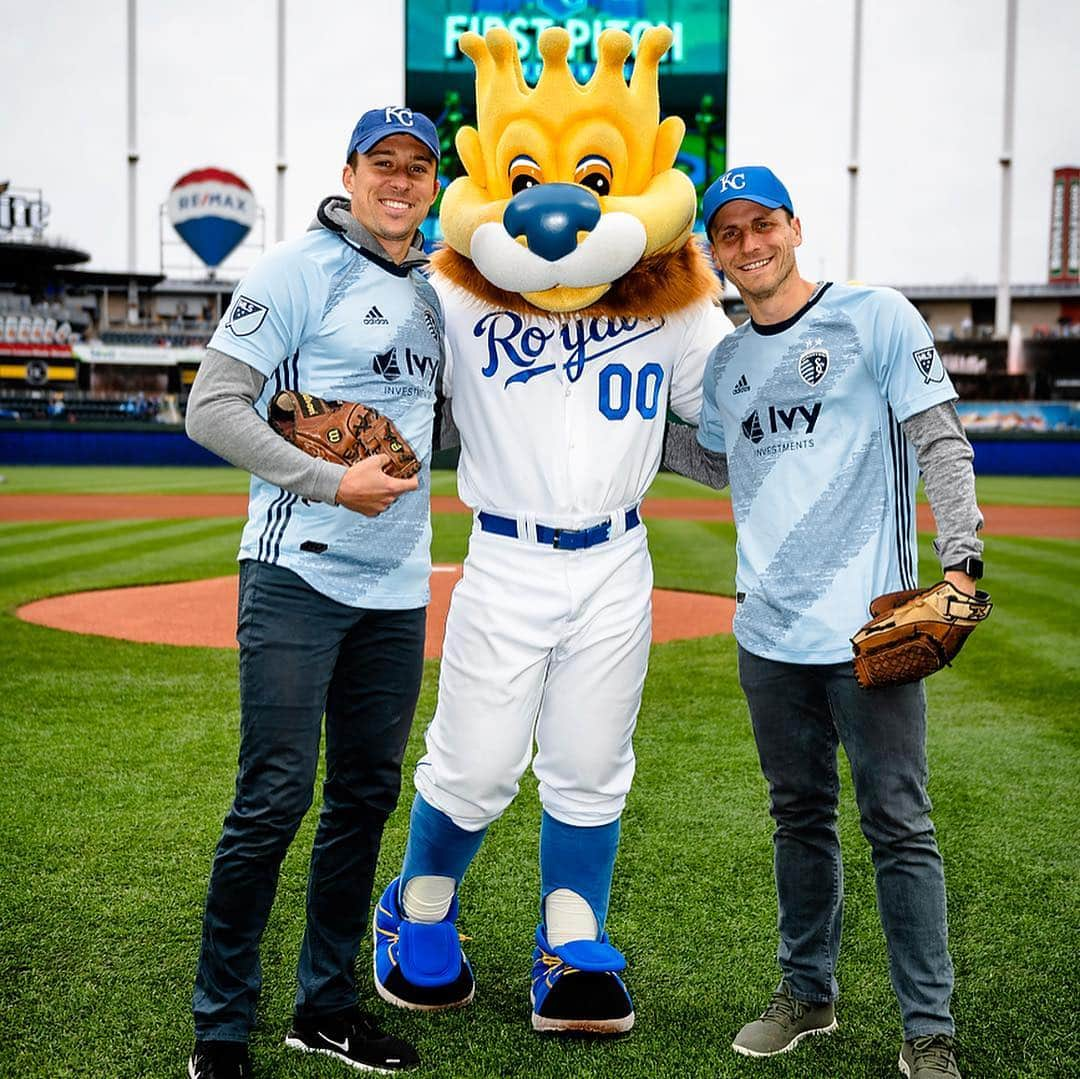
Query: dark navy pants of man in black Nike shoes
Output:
(302,655)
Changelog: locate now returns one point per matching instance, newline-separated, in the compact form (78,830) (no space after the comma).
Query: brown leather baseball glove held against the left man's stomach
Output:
(341,431)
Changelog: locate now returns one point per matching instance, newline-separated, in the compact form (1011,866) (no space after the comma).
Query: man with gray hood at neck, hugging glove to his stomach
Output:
(334,571)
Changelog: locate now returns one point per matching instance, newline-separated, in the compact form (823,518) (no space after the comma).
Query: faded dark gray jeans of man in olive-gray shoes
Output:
(800,714)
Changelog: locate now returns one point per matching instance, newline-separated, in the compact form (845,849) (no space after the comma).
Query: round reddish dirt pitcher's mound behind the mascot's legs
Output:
(205,613)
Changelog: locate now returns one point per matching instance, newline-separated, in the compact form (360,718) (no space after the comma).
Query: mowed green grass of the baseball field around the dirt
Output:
(119,763)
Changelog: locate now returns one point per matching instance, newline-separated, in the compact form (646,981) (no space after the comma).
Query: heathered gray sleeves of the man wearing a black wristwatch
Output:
(941,449)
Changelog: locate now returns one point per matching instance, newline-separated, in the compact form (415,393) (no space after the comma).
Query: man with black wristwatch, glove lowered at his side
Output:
(825,408)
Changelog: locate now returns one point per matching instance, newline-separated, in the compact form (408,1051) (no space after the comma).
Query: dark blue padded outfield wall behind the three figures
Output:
(1050,454)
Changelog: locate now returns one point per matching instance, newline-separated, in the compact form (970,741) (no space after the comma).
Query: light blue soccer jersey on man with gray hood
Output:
(321,316)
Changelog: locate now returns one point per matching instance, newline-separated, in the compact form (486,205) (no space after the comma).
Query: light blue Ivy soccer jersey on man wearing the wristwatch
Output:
(823,481)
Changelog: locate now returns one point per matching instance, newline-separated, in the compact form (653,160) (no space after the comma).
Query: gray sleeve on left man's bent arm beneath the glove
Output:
(222,417)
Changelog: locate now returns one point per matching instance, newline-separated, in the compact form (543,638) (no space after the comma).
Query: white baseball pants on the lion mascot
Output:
(547,645)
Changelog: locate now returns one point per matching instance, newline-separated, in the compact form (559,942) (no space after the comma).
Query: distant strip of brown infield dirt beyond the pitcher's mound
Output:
(1057,522)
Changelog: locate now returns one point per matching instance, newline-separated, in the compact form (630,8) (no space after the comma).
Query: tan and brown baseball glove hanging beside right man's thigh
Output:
(915,633)
